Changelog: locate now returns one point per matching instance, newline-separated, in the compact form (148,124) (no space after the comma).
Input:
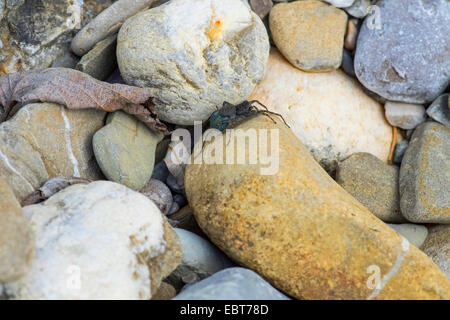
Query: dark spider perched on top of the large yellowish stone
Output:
(229,113)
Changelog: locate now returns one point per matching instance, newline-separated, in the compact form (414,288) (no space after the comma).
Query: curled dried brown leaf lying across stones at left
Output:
(76,90)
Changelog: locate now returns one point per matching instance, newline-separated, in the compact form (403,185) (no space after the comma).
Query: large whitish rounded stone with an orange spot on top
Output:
(193,55)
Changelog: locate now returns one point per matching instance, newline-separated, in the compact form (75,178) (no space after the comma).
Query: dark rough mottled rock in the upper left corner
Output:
(33,34)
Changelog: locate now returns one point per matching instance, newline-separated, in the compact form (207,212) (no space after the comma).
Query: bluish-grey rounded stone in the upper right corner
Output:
(399,69)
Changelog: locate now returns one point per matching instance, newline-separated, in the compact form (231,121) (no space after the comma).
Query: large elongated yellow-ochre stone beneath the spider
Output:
(300,230)
